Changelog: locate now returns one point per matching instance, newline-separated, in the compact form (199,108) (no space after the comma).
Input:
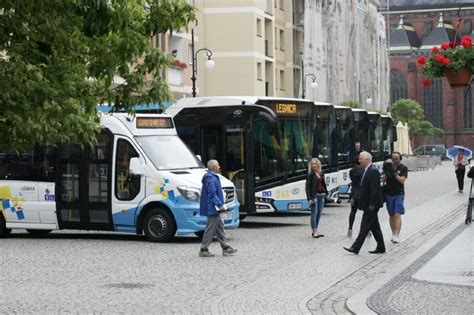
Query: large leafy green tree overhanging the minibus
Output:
(61,59)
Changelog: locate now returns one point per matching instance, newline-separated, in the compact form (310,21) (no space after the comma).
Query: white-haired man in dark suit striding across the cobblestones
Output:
(369,199)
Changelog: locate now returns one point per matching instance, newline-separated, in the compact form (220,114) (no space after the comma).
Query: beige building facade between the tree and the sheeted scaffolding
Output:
(252,46)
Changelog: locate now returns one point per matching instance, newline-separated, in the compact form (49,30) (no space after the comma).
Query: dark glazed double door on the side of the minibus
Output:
(83,189)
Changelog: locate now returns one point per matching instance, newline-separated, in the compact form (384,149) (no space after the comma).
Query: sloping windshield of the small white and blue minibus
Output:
(168,152)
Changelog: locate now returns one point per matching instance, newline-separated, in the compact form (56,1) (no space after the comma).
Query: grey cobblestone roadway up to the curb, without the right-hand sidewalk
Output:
(279,268)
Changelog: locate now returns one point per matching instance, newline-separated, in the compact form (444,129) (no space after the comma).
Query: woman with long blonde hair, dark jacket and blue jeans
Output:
(316,190)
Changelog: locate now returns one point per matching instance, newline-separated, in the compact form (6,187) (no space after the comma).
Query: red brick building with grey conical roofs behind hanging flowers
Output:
(414,30)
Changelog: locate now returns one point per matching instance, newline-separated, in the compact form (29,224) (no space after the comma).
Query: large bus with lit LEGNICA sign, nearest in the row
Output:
(264,145)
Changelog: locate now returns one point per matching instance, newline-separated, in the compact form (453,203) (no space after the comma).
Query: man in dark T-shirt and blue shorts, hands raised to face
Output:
(394,179)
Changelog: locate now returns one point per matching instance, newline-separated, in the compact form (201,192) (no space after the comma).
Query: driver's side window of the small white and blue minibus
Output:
(127,186)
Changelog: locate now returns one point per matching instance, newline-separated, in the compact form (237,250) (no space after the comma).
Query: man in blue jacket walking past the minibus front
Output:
(211,205)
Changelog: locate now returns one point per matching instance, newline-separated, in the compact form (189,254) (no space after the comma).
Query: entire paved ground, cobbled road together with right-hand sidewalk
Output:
(279,268)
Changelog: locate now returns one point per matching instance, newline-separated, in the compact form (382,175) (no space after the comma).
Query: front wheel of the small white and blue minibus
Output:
(159,226)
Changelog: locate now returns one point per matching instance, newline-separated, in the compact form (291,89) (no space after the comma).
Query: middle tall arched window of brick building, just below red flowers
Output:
(433,102)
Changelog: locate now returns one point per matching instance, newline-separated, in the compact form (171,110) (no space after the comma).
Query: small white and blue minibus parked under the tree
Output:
(139,177)
